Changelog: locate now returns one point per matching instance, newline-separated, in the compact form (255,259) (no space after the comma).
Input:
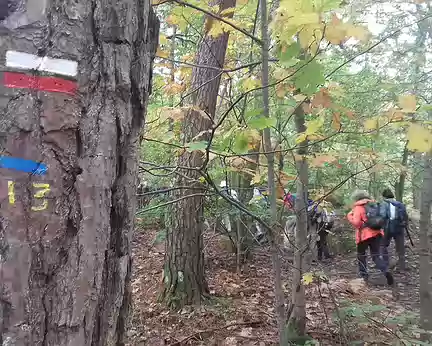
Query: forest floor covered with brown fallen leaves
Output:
(241,308)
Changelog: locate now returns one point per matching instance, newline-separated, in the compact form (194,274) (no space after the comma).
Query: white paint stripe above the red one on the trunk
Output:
(27,61)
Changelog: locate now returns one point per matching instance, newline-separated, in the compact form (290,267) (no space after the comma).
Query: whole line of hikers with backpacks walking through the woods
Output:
(376,225)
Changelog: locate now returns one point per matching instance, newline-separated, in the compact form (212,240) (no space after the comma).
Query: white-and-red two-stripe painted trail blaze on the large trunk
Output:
(60,74)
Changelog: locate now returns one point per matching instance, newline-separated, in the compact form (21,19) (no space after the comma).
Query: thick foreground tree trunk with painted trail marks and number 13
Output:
(65,259)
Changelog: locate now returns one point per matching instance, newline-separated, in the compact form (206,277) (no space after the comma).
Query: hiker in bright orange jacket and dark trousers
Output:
(367,237)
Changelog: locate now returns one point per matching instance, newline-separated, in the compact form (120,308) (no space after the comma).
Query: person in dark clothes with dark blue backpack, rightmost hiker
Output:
(396,222)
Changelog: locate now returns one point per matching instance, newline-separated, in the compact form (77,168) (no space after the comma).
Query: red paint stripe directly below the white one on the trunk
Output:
(53,84)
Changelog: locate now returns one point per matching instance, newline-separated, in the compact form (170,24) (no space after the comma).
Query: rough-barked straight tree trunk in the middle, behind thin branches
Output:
(184,280)
